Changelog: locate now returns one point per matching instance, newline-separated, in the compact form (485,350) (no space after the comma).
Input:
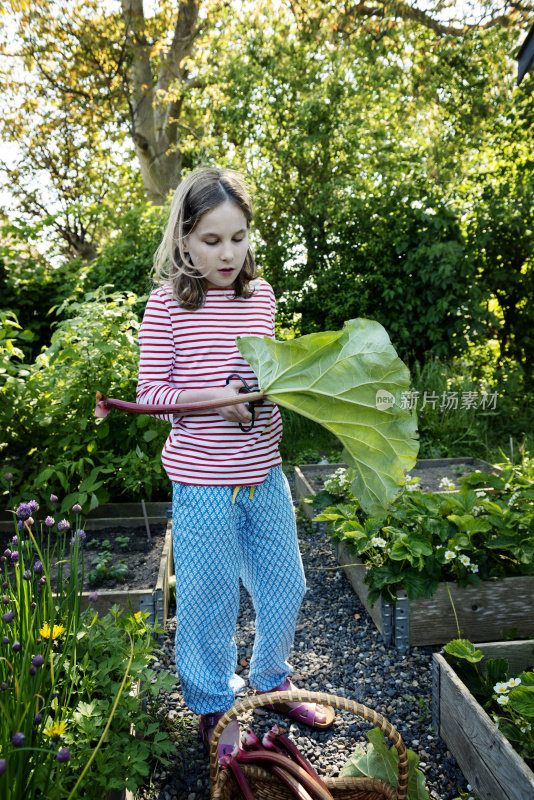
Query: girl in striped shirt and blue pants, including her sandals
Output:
(232,511)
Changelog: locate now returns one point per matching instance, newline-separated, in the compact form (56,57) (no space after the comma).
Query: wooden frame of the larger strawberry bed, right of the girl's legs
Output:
(486,612)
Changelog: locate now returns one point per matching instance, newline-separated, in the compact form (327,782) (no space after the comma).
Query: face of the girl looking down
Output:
(218,245)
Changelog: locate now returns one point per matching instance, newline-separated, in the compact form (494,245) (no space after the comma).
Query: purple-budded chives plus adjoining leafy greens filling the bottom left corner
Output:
(68,676)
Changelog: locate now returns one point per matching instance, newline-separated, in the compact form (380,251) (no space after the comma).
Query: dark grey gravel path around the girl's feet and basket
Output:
(337,649)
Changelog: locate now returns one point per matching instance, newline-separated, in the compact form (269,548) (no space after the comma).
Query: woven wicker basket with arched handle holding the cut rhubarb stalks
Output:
(266,786)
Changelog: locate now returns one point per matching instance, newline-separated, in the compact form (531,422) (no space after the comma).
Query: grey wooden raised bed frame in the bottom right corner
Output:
(486,758)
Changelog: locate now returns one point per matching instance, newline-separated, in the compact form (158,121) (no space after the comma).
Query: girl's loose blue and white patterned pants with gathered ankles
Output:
(216,542)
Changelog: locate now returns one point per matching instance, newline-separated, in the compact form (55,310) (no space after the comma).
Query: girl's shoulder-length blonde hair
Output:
(201,191)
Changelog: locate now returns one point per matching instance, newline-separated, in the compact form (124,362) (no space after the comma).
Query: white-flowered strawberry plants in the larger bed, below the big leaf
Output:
(467,537)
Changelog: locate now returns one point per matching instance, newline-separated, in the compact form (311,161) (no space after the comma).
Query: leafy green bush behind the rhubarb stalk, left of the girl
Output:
(49,419)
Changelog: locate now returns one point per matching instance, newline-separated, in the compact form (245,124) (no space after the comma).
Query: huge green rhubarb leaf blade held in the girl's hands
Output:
(337,379)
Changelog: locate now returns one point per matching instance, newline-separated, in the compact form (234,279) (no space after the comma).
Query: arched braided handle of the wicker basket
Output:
(302,696)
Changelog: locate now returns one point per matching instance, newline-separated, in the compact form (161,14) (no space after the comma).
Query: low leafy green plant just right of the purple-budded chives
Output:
(124,759)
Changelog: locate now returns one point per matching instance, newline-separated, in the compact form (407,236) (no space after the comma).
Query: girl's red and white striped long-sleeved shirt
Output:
(183,349)
